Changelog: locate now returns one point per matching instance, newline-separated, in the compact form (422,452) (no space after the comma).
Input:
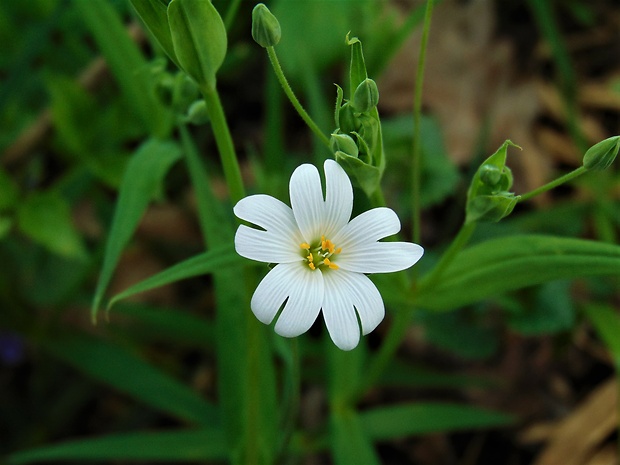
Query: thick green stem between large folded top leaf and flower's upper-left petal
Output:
(224,143)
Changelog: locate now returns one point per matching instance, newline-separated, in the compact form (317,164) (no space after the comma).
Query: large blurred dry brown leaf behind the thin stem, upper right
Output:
(470,78)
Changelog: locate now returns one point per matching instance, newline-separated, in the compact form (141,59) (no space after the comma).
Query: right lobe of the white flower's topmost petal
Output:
(338,198)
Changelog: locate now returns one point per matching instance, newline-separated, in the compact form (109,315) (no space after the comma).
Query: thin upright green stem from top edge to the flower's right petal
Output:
(417,111)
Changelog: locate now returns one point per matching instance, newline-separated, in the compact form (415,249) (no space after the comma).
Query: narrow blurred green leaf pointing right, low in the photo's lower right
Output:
(399,421)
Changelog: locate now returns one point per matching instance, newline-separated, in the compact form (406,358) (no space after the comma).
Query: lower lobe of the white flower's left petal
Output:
(265,246)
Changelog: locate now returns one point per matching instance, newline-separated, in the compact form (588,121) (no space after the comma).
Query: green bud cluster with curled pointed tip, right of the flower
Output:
(488,198)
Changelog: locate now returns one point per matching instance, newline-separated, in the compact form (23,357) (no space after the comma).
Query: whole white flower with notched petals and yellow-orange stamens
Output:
(321,256)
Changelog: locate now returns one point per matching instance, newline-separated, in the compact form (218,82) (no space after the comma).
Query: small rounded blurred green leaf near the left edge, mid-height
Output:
(46,219)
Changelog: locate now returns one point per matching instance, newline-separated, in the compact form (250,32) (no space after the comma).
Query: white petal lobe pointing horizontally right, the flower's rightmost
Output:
(380,257)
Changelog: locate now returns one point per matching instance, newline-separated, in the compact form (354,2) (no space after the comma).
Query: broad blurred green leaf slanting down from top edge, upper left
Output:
(126,62)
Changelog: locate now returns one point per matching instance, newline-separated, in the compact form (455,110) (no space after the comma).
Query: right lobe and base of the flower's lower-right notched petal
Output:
(361,292)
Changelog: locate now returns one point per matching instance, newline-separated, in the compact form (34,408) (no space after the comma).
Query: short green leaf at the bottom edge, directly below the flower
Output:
(350,441)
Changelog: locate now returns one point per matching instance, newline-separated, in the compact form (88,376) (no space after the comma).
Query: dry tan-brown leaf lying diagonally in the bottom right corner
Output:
(580,434)
